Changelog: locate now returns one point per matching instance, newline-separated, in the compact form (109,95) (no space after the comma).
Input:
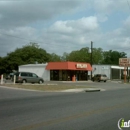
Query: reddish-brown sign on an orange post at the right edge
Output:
(124,62)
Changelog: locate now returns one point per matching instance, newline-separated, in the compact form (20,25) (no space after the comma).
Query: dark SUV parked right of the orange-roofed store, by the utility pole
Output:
(100,77)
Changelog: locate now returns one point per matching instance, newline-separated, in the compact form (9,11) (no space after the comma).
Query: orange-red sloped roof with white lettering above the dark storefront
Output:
(68,66)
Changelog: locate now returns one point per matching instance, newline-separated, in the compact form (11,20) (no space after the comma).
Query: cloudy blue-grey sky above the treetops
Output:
(60,26)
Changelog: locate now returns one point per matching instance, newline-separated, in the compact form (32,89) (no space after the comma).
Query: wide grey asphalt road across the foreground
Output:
(29,110)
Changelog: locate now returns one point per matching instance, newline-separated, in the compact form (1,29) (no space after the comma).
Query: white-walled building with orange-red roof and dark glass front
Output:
(60,71)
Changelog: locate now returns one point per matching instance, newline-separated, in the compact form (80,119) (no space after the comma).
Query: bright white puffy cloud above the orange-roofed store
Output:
(74,26)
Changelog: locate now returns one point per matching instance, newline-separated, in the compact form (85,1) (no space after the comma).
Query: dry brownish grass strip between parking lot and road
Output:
(44,87)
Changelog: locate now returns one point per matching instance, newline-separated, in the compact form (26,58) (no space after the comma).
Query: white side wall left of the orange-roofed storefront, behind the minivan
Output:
(38,69)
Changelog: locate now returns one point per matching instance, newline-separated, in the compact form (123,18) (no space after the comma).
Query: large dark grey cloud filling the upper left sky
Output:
(23,13)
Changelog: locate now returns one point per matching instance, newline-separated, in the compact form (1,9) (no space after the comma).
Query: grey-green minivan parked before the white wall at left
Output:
(28,77)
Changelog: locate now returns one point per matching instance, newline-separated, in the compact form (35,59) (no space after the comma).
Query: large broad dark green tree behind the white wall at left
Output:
(29,54)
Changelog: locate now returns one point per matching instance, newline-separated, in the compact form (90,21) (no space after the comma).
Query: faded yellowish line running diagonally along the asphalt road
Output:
(64,119)
